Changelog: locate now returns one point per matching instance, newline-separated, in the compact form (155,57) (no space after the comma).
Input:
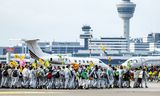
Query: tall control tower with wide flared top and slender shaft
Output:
(125,10)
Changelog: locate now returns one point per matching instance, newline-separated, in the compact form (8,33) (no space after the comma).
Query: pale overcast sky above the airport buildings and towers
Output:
(61,20)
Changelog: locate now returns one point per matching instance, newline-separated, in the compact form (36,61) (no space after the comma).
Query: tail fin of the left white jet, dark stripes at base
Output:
(34,50)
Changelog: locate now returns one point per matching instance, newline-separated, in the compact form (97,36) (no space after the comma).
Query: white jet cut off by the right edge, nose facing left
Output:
(142,61)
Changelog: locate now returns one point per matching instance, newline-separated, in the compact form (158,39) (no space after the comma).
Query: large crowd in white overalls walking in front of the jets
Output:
(81,77)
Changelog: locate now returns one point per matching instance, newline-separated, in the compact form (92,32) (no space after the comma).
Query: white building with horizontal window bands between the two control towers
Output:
(113,45)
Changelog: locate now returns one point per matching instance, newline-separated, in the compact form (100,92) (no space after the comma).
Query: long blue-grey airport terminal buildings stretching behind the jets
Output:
(115,47)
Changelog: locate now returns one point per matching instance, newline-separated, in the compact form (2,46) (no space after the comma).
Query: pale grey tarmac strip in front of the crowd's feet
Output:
(153,90)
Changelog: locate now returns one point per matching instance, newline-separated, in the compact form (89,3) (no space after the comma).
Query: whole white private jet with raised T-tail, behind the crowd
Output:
(36,53)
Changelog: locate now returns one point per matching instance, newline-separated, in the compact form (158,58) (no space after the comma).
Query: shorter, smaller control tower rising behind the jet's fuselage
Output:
(86,36)
